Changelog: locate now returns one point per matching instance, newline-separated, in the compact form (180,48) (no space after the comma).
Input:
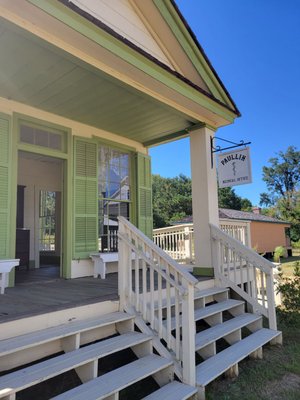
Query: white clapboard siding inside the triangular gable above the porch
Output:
(122,18)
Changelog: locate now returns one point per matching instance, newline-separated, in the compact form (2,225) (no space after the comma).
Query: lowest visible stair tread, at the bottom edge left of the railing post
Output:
(173,391)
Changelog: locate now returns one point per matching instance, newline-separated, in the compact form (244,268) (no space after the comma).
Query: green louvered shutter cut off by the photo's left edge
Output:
(4,187)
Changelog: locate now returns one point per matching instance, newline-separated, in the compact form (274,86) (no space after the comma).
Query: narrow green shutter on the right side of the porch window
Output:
(144,195)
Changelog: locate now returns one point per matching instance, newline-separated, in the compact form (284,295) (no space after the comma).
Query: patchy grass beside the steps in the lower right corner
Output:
(276,377)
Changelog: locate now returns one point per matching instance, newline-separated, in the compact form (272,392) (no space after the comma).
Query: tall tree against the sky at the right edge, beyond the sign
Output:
(283,182)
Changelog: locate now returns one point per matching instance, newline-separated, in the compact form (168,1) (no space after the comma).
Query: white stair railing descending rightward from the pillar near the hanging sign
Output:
(245,271)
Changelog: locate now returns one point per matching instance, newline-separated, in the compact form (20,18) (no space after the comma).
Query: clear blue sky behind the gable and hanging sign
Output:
(254,45)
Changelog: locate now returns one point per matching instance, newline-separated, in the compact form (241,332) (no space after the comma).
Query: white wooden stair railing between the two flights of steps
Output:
(161,290)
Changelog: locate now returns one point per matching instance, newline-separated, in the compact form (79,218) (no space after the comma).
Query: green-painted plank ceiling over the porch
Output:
(38,74)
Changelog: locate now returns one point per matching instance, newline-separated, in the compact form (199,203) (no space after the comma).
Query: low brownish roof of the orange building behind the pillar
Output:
(226,213)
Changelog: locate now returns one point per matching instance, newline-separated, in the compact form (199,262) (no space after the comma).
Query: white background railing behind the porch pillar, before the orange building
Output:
(178,240)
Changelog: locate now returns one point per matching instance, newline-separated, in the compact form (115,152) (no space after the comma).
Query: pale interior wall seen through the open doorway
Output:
(37,173)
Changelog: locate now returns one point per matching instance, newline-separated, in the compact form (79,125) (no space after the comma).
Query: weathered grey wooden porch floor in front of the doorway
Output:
(40,291)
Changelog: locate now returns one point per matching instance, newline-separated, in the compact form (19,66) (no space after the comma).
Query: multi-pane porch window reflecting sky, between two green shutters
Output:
(114,188)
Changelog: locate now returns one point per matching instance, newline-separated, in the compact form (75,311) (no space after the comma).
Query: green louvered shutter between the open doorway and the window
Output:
(85,198)
